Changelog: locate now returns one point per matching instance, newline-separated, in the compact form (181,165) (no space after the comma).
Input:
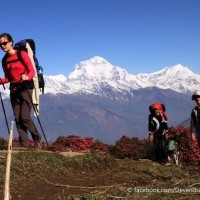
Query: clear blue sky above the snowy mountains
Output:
(142,36)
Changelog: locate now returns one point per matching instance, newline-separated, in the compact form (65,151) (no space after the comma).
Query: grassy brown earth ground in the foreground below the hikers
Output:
(39,175)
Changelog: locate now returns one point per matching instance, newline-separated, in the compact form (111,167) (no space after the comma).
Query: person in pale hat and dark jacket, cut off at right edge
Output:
(195,118)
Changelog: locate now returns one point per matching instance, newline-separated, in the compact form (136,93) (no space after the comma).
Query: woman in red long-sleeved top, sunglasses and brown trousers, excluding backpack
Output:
(20,78)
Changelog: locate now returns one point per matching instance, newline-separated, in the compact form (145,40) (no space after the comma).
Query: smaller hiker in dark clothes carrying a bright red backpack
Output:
(158,131)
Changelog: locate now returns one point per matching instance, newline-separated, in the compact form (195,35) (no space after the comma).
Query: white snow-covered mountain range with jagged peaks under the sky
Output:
(92,75)
